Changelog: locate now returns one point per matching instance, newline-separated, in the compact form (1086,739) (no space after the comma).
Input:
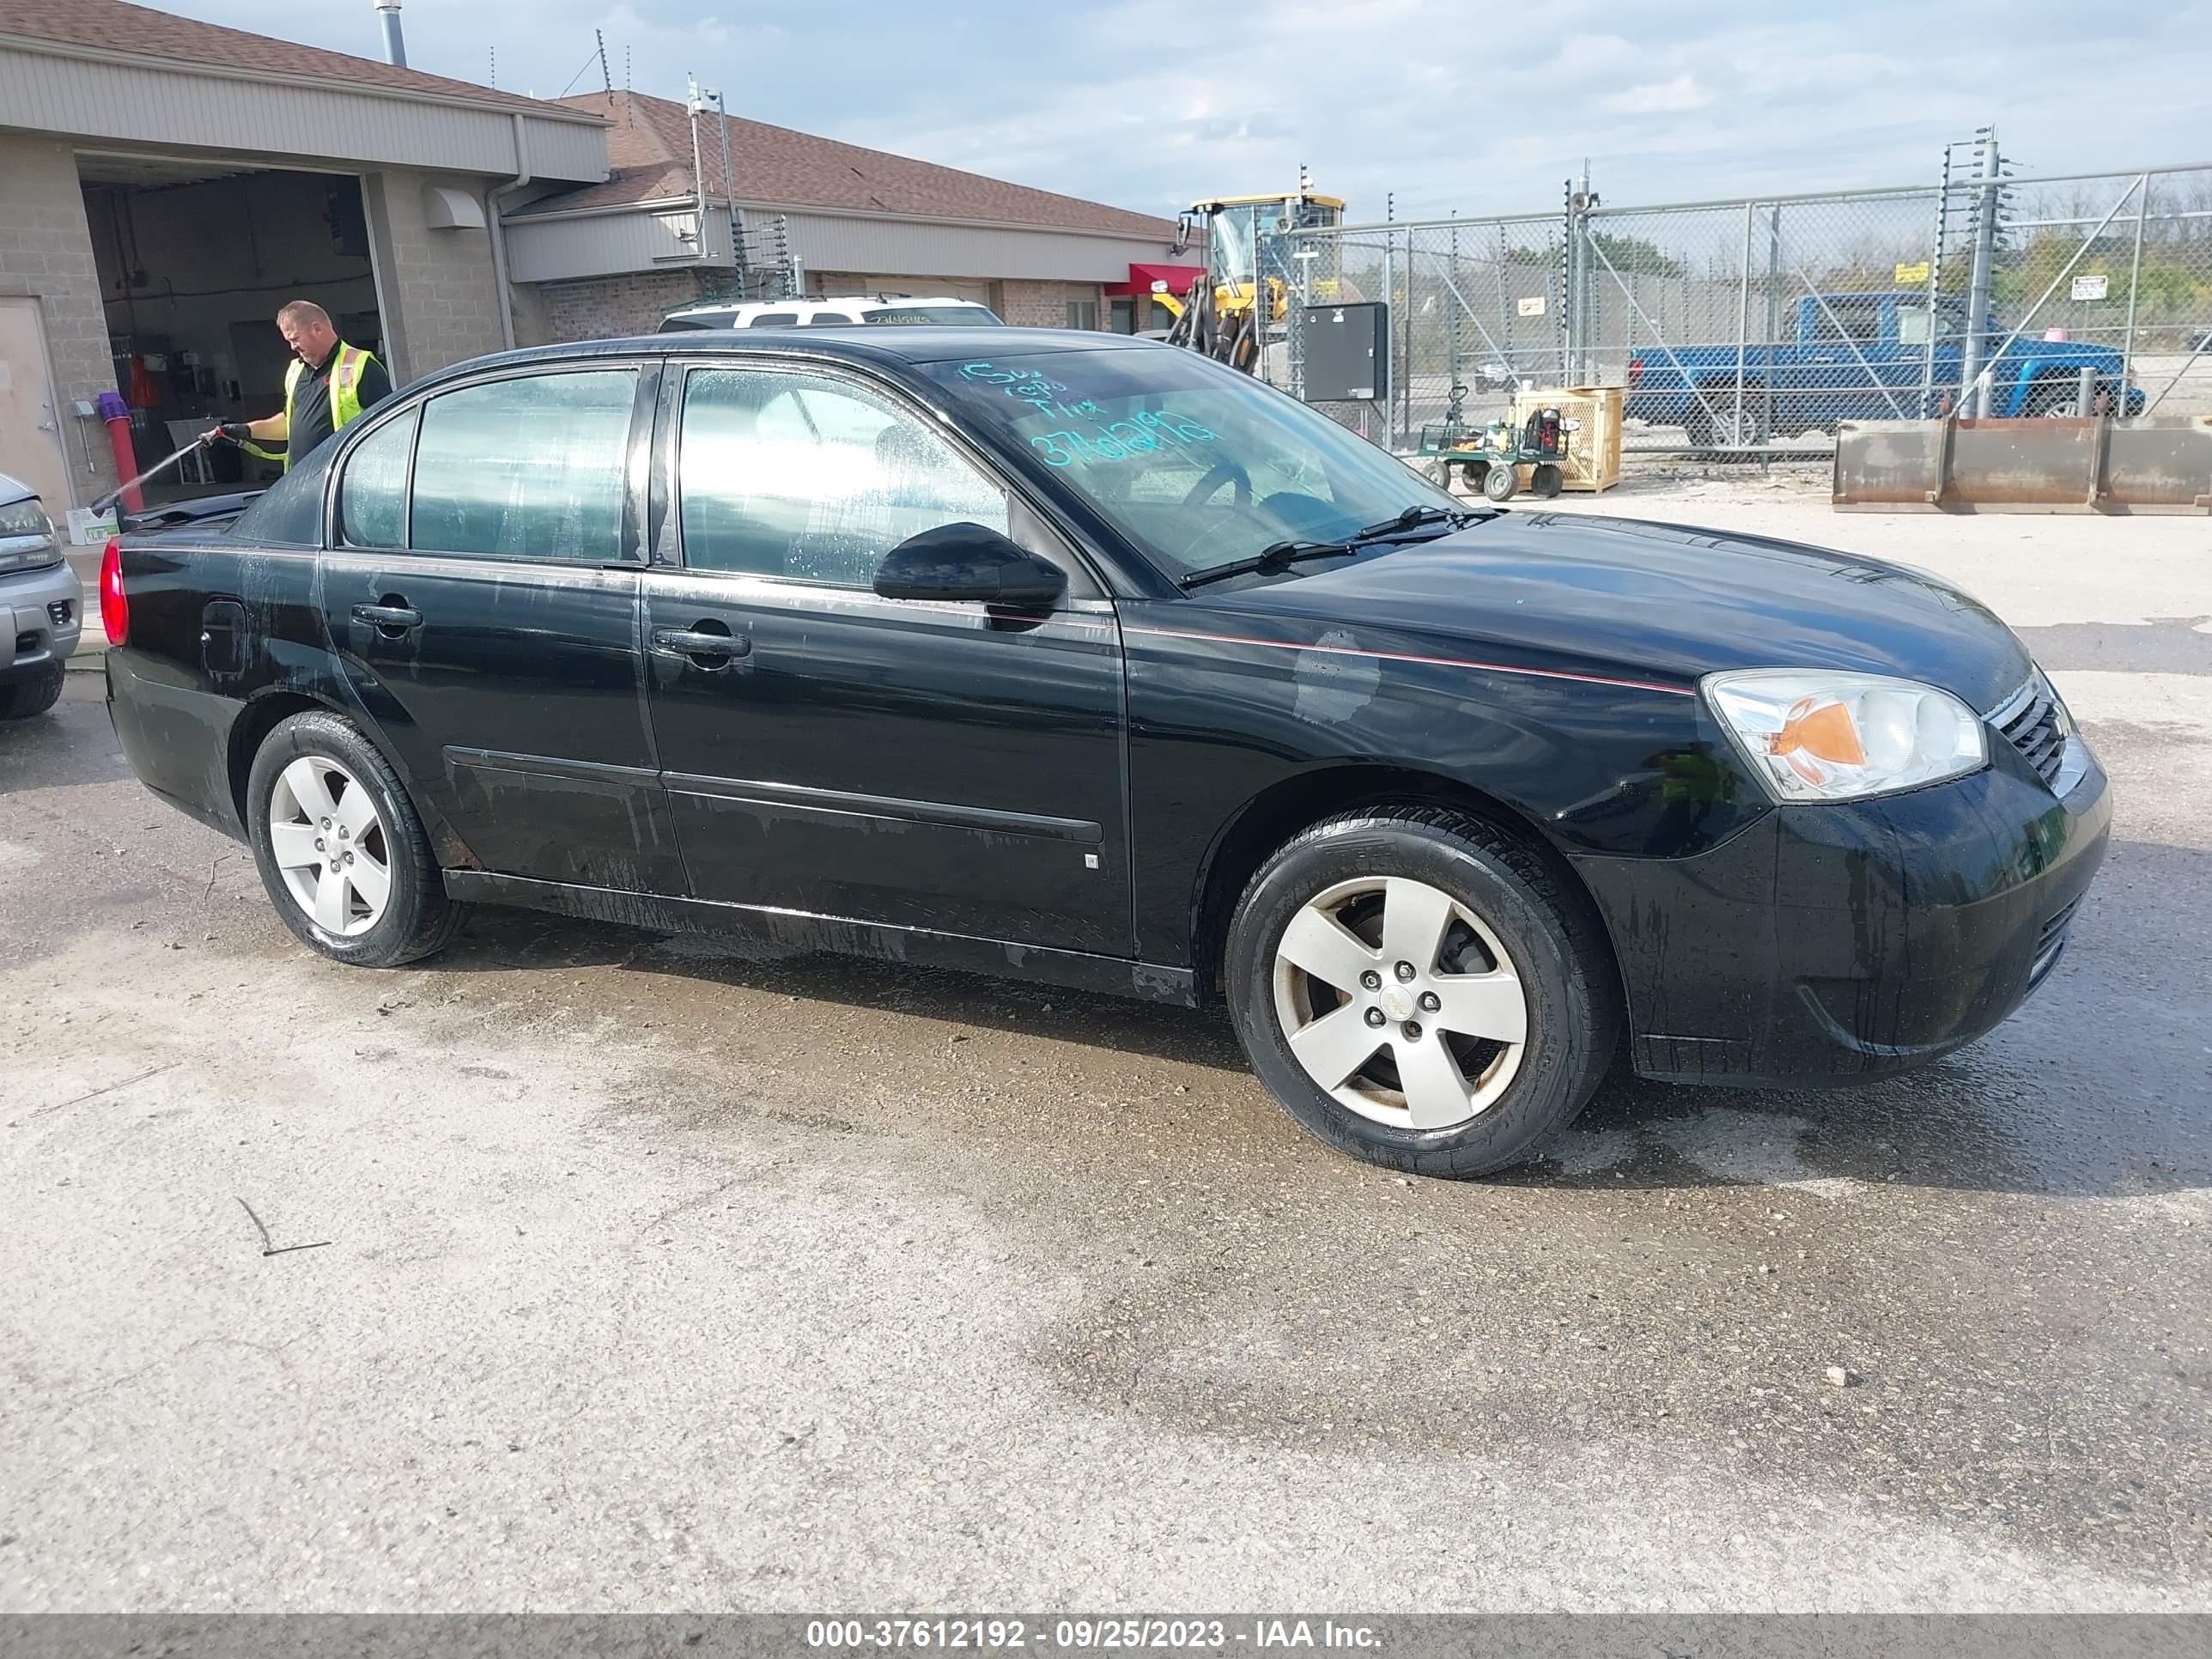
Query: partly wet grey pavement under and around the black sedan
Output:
(585,1269)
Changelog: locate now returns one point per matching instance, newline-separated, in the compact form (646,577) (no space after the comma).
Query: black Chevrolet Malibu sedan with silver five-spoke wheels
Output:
(1087,660)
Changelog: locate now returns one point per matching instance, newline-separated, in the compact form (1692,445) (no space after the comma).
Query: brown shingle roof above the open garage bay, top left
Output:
(140,32)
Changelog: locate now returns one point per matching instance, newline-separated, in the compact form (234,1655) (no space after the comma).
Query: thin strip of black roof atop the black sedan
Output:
(881,346)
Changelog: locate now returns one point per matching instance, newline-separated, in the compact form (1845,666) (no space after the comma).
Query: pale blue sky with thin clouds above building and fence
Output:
(1423,107)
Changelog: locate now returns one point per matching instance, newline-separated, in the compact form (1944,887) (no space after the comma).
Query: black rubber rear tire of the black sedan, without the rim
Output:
(419,919)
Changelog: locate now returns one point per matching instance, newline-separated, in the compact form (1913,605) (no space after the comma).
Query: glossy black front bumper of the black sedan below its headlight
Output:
(1833,946)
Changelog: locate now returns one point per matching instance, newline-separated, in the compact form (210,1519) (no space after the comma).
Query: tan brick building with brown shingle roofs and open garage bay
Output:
(167,185)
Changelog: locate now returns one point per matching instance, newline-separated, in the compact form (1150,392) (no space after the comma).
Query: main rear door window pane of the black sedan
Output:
(528,468)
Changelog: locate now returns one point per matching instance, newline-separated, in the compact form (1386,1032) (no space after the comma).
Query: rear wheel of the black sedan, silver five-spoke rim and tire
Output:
(342,848)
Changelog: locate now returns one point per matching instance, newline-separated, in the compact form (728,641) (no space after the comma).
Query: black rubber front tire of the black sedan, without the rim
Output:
(1547,928)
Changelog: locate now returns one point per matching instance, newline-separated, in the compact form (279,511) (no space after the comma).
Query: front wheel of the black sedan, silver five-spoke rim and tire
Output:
(1421,992)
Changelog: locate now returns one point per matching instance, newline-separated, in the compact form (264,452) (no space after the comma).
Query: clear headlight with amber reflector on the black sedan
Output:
(1815,735)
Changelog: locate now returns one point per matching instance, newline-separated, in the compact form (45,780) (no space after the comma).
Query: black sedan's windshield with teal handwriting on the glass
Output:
(1193,463)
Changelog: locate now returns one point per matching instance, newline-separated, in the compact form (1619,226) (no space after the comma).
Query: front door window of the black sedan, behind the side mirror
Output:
(813,479)
